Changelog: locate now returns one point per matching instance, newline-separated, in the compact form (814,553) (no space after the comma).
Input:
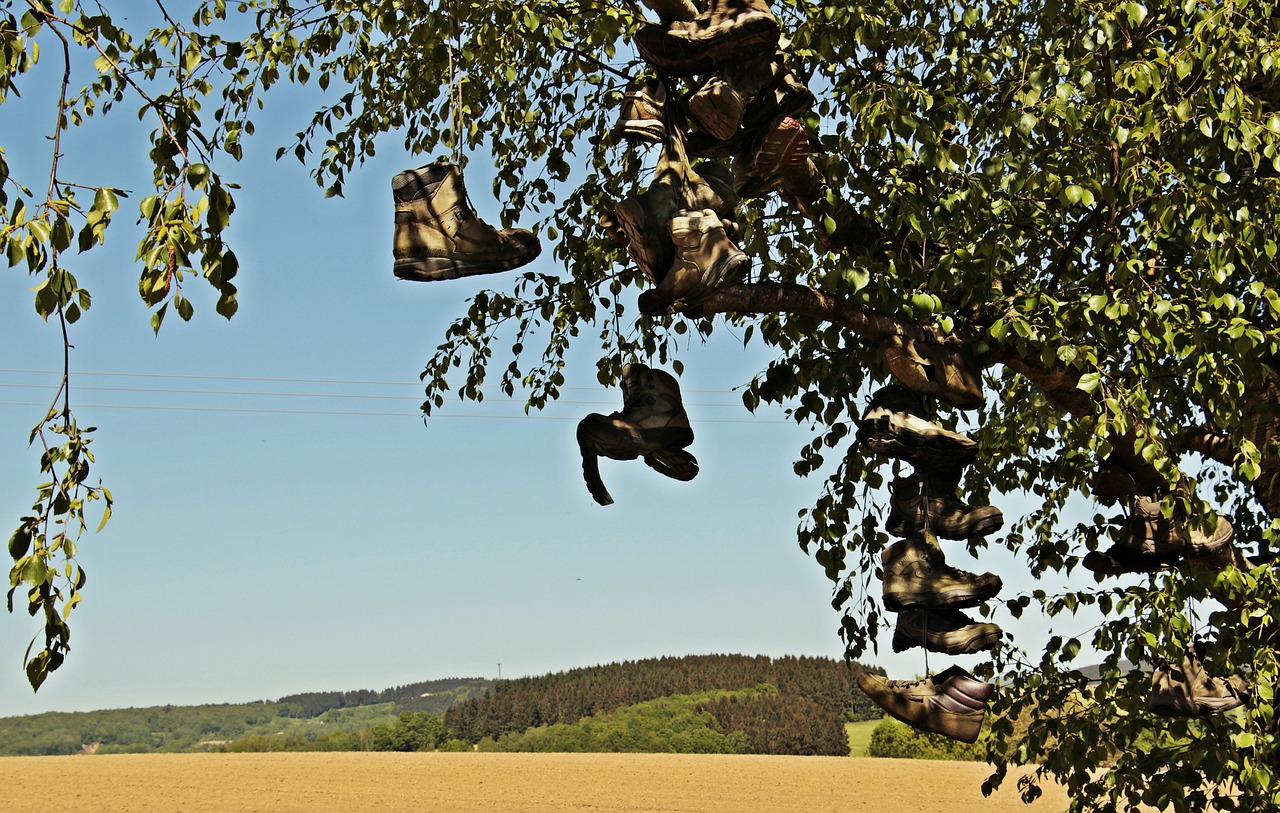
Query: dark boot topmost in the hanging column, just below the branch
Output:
(893,427)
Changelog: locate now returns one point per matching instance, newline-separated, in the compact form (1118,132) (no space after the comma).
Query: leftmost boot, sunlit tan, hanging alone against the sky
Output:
(438,235)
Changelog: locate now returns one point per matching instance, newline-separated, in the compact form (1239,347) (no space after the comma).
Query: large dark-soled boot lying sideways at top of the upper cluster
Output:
(728,31)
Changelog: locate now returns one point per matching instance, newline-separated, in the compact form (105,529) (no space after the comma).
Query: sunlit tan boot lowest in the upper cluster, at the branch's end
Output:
(706,261)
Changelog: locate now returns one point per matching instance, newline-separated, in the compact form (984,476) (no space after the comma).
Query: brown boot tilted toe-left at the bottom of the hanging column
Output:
(952,704)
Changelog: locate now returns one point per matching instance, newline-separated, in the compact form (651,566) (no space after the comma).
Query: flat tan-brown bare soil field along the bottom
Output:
(470,783)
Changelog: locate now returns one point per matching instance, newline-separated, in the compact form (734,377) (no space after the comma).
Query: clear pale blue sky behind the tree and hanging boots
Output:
(286,523)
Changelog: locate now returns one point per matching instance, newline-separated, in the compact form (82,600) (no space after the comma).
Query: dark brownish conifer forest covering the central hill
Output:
(810,692)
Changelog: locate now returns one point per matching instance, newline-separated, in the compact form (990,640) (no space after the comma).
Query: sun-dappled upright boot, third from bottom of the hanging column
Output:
(918,578)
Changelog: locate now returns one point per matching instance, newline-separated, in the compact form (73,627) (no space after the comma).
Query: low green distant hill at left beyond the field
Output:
(200,728)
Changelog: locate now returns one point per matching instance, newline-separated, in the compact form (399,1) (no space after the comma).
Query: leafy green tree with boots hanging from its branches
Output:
(1084,197)
